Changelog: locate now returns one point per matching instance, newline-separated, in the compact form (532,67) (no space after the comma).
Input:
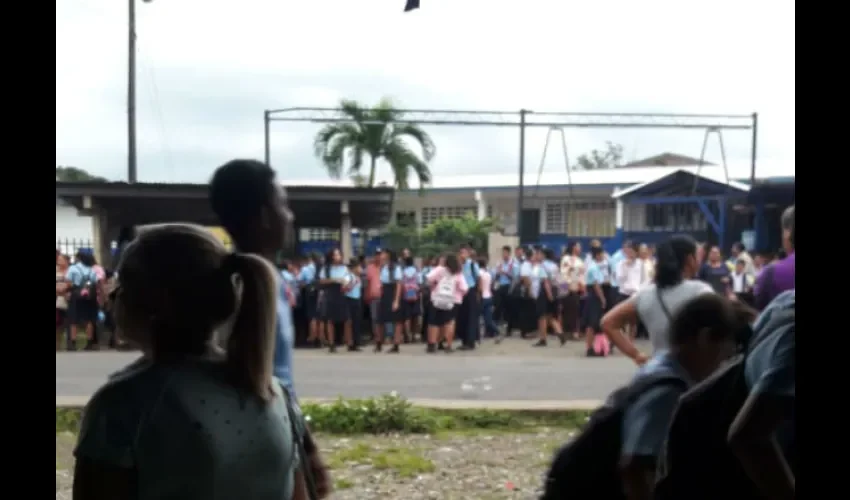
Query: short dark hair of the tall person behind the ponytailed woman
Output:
(238,191)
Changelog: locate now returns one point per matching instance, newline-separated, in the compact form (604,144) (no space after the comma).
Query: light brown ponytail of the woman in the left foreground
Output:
(250,347)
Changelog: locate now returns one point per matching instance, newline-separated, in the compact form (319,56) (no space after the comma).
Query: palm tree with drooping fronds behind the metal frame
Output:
(374,132)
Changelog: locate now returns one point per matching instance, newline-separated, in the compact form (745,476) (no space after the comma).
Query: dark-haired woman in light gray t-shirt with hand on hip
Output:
(655,304)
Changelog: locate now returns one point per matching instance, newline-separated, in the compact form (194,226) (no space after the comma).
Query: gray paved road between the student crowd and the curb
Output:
(516,372)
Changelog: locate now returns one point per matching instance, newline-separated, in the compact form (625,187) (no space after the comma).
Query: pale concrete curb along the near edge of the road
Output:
(437,404)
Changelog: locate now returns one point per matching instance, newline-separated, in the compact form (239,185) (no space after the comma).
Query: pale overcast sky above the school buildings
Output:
(208,68)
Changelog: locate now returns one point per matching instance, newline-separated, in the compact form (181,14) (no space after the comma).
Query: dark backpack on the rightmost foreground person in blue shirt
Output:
(693,461)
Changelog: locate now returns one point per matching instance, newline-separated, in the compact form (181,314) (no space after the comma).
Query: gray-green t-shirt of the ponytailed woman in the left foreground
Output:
(190,434)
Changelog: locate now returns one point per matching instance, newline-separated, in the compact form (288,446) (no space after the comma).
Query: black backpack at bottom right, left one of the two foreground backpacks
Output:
(588,466)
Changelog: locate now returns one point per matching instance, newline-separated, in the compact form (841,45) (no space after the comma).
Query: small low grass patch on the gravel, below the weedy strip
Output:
(402,461)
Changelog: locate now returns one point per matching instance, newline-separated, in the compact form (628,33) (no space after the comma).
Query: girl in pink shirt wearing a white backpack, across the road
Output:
(448,287)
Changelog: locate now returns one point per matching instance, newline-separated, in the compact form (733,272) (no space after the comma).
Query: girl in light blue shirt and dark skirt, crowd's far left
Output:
(83,306)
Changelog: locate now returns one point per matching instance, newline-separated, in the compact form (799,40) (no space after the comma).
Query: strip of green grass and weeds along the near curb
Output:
(394,414)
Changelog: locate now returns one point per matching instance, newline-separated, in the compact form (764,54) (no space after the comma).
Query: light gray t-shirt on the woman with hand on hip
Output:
(652,313)
